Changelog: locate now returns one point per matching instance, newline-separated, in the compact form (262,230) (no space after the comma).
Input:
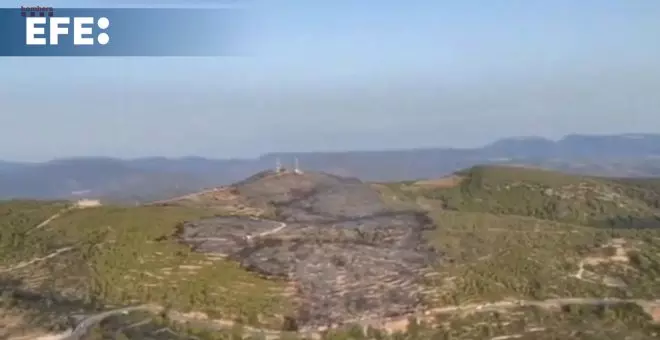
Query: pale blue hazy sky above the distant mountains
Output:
(348,75)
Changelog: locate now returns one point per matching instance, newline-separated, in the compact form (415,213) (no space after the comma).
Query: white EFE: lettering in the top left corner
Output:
(82,29)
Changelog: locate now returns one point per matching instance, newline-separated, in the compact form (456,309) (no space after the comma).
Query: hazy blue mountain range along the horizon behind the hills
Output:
(137,180)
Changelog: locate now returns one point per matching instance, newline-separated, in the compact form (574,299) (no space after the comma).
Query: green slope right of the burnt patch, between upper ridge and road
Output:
(495,257)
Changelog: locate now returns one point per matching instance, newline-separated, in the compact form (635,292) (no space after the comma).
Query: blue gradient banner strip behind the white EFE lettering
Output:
(45,31)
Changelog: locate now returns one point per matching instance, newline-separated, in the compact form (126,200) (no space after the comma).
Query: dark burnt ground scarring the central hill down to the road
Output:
(349,255)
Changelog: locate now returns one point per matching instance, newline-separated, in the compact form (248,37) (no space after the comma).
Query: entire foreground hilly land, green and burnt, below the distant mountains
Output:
(481,254)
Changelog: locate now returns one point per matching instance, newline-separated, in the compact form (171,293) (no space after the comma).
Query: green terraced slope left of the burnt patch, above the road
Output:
(123,255)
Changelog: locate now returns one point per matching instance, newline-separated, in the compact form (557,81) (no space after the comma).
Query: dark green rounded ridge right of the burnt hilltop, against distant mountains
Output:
(547,195)
